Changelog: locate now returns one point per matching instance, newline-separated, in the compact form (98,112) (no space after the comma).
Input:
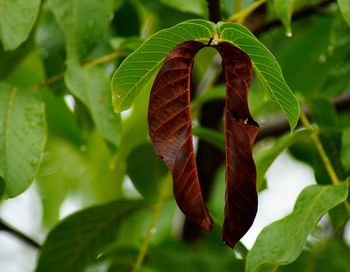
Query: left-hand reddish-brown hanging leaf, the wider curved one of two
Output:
(169,122)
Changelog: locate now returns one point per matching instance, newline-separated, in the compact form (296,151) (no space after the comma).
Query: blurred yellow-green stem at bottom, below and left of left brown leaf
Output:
(154,219)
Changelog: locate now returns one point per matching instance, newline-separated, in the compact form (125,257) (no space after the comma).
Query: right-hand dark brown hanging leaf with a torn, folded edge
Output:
(240,132)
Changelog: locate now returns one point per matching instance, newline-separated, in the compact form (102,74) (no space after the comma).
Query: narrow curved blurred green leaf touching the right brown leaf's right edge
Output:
(264,159)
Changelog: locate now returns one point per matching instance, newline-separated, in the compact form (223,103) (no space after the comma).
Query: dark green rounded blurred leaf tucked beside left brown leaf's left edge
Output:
(148,182)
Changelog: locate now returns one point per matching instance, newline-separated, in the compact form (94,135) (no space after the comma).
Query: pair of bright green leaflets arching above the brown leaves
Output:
(139,67)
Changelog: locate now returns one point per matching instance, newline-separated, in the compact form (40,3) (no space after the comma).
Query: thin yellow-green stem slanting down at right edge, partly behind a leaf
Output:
(324,157)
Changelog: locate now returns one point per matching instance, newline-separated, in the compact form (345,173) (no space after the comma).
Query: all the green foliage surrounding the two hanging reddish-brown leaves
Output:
(66,67)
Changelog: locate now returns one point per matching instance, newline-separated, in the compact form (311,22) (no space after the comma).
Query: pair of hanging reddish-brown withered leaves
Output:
(169,120)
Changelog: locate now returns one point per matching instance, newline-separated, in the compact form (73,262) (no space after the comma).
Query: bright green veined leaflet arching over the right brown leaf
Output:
(266,67)
